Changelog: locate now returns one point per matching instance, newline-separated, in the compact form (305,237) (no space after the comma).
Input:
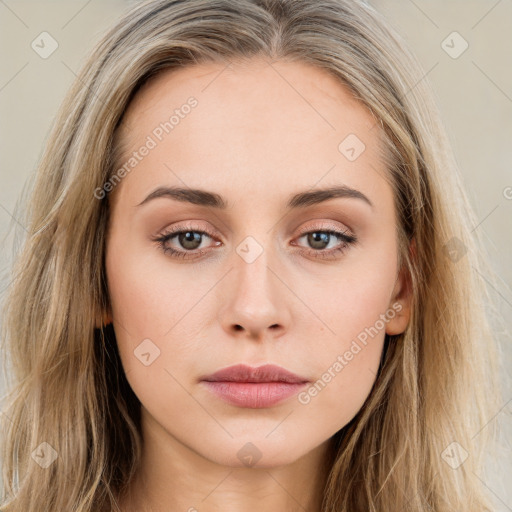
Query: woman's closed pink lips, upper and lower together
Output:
(254,388)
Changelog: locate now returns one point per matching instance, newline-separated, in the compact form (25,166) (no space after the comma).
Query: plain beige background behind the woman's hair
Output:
(474,93)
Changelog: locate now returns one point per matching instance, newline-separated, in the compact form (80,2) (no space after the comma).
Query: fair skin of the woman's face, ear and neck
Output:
(261,132)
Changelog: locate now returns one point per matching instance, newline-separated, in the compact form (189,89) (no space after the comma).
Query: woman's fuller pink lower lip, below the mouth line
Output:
(254,395)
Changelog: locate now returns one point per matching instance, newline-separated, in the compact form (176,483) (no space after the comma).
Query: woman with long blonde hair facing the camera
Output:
(250,281)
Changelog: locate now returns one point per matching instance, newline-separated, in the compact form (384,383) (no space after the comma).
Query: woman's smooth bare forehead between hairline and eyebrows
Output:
(254,123)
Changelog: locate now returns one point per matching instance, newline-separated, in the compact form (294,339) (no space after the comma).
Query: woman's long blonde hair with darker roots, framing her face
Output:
(436,386)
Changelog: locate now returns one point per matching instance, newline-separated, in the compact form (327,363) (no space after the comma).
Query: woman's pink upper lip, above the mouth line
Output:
(245,373)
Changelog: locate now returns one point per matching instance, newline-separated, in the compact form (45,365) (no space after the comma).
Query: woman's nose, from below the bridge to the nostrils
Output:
(255,300)
